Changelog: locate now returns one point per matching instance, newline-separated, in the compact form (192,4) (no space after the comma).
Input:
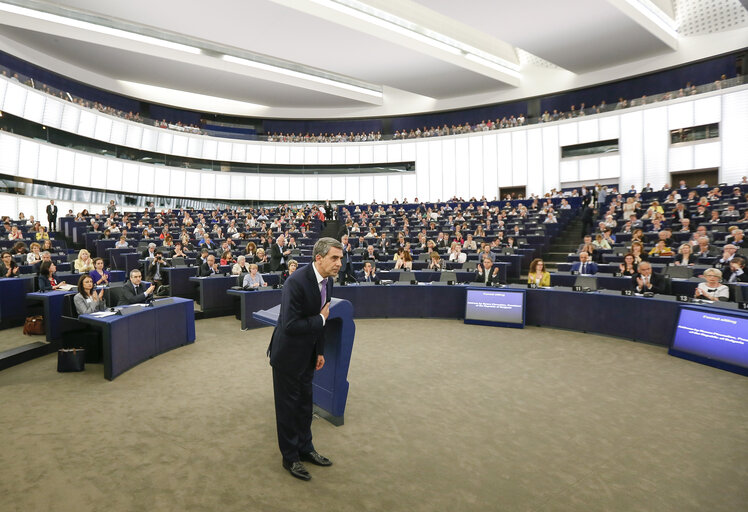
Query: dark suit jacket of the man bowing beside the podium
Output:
(299,336)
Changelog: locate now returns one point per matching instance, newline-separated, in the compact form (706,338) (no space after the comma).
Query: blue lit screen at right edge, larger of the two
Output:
(714,338)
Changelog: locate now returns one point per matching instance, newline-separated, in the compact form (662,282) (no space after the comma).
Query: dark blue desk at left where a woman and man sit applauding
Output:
(132,339)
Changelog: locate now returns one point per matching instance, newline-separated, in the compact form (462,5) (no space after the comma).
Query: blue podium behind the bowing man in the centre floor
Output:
(330,385)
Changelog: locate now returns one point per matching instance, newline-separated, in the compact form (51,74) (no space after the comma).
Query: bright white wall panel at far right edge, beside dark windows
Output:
(734,134)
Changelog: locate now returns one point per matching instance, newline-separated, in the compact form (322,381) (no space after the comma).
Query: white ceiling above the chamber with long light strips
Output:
(591,40)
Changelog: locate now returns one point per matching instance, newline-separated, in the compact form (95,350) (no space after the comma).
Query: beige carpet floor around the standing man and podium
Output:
(441,417)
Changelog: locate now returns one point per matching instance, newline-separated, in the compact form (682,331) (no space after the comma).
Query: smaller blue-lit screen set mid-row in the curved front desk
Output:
(499,307)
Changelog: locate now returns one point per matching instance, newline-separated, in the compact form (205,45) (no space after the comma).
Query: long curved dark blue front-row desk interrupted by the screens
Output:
(606,312)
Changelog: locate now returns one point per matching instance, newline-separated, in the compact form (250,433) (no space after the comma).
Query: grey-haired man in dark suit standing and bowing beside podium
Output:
(297,349)
